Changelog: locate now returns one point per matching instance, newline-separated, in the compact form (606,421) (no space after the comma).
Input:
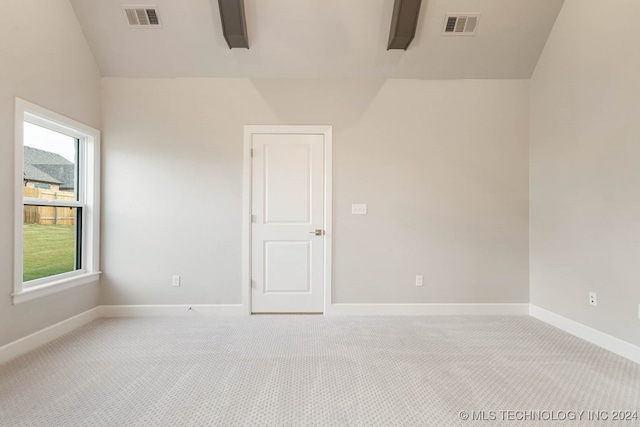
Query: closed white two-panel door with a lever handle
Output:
(287,230)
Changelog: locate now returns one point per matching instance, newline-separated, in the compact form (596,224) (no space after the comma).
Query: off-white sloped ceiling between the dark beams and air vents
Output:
(318,38)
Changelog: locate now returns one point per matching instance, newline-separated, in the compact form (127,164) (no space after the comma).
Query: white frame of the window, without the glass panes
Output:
(88,199)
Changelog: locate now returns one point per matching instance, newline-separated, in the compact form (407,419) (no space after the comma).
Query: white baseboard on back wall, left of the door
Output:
(172,310)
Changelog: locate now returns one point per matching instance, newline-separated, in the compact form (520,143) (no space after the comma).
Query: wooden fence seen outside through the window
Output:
(48,215)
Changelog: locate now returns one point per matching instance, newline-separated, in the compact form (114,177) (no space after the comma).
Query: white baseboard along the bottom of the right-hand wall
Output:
(613,344)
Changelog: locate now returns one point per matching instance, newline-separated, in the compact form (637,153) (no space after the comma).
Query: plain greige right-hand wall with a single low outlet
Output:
(585,174)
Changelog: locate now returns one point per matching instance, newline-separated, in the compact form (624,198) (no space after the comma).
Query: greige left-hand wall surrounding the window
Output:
(45,60)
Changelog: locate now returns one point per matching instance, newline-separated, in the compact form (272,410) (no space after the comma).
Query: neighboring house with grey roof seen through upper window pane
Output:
(47,171)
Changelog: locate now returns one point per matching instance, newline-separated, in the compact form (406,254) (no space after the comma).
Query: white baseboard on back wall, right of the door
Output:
(428,309)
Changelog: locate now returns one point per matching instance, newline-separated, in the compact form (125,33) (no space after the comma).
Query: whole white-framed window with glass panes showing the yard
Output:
(57,203)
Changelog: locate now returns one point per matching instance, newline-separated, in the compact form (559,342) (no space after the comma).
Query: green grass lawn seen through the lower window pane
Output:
(48,250)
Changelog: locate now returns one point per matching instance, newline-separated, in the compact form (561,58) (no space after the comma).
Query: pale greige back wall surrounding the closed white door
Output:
(442,165)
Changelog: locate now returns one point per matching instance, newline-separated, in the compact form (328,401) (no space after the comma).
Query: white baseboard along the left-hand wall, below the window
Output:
(37,339)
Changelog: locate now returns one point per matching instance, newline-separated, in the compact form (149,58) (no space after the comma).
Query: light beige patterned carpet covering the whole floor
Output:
(316,370)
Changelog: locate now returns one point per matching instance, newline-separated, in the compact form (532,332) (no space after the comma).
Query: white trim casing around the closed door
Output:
(249,131)
